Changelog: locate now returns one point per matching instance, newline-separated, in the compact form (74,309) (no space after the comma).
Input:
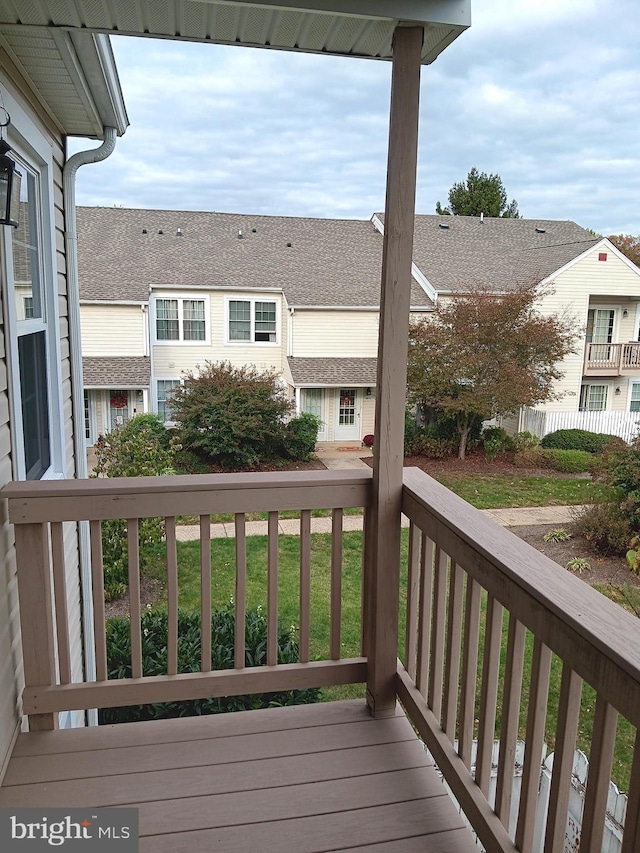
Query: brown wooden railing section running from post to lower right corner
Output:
(464,669)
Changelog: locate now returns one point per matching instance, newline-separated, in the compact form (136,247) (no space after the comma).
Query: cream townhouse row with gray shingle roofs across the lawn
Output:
(301,297)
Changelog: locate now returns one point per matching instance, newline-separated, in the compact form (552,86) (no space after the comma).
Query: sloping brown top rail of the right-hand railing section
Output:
(598,639)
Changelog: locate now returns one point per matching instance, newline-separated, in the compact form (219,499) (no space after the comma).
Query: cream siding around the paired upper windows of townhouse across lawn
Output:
(170,360)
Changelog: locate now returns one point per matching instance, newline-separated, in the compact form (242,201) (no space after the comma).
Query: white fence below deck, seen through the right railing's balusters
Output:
(616,802)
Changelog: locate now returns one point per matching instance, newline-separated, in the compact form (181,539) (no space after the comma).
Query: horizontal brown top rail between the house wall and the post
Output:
(138,497)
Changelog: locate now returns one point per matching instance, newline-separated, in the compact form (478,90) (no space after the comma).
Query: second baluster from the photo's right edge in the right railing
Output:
(603,741)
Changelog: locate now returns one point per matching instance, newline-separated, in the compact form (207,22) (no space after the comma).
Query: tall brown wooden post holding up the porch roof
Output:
(384,549)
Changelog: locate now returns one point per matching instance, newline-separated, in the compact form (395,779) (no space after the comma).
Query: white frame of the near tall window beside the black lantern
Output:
(33,153)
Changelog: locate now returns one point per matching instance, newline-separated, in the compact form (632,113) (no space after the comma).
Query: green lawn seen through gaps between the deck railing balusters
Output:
(223,583)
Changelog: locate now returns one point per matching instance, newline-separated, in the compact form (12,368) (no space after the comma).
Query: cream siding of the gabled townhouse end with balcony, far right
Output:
(591,283)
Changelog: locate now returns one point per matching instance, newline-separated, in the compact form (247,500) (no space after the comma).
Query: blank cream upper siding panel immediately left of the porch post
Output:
(335,334)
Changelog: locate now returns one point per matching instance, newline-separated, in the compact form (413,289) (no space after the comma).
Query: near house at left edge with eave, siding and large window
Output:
(40,397)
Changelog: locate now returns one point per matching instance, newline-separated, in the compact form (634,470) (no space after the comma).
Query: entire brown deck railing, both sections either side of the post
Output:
(485,620)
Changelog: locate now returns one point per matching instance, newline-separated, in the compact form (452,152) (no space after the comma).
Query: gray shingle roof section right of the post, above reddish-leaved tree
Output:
(501,253)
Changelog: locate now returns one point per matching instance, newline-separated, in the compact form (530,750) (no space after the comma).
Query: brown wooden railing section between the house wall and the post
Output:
(39,511)
